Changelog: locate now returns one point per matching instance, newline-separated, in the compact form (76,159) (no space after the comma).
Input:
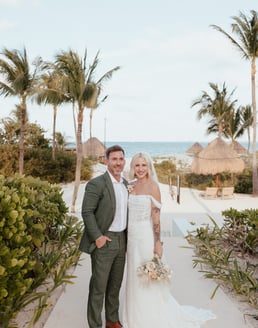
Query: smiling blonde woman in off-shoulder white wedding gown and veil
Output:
(150,305)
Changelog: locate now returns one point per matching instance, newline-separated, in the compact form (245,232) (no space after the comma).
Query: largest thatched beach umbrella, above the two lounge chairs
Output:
(216,158)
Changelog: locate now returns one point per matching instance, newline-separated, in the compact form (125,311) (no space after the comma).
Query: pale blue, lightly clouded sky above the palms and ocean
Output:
(167,51)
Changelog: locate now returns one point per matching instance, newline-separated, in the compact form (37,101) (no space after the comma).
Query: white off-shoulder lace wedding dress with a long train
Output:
(152,305)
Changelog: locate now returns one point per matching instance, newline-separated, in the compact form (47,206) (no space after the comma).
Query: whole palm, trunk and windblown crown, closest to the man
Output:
(78,82)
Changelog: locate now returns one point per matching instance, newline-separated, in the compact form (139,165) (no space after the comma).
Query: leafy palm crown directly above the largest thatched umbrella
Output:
(218,107)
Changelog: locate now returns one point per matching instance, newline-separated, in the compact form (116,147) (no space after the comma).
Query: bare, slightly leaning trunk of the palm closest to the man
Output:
(78,159)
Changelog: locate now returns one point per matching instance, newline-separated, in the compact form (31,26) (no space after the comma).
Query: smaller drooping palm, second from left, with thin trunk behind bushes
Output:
(50,91)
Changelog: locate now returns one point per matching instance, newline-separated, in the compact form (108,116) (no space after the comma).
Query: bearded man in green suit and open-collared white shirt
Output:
(104,212)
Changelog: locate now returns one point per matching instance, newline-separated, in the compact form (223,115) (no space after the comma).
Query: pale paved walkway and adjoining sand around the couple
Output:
(189,286)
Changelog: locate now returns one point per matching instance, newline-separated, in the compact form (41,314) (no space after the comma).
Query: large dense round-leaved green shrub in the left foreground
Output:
(33,217)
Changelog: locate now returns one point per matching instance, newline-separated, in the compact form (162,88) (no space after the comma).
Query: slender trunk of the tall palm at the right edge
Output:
(254,161)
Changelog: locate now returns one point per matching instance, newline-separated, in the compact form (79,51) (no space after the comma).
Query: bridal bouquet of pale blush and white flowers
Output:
(155,270)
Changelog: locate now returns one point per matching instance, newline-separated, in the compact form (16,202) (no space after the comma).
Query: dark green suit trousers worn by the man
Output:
(107,264)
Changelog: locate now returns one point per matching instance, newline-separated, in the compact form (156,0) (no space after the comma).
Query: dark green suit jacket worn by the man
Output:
(98,210)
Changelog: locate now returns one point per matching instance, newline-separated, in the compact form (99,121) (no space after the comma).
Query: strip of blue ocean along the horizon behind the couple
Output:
(158,149)
